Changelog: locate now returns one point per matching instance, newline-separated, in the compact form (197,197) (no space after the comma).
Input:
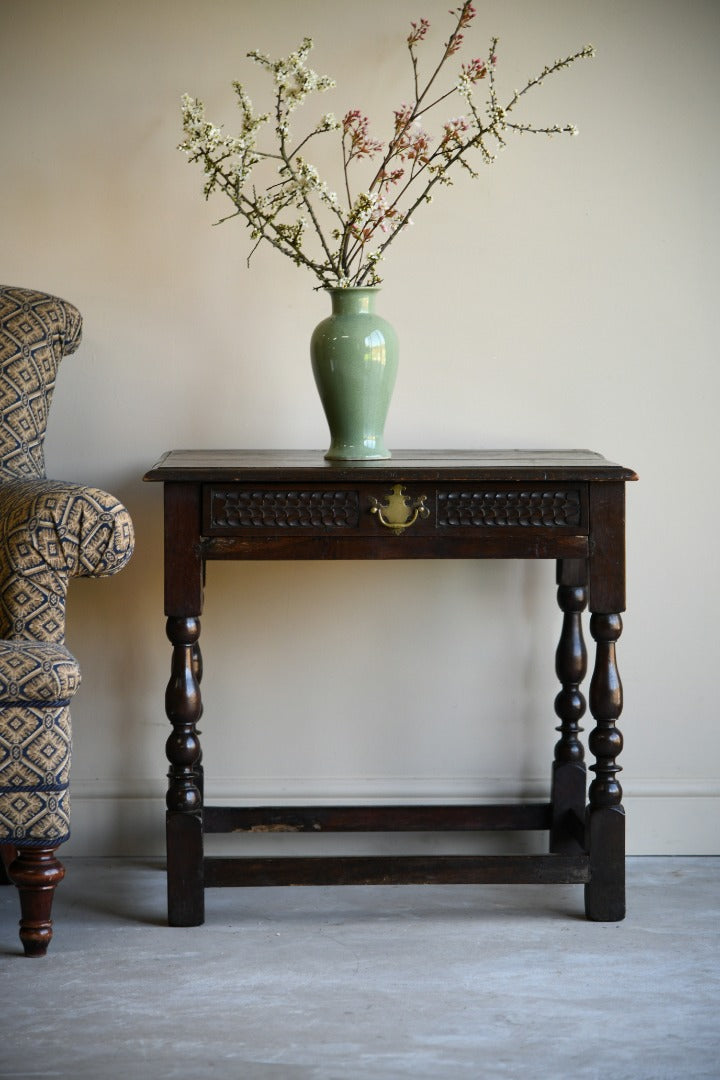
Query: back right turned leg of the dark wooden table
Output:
(569,775)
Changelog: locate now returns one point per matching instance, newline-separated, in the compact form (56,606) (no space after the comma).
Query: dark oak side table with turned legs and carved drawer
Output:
(568,506)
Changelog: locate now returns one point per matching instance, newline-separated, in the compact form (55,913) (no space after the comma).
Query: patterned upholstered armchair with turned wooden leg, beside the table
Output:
(50,532)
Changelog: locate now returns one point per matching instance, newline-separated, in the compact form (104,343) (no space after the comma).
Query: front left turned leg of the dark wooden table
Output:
(184,820)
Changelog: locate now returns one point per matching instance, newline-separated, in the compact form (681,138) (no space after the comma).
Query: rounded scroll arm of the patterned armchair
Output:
(51,532)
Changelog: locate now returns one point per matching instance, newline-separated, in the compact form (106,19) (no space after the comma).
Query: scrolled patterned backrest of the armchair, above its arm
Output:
(36,332)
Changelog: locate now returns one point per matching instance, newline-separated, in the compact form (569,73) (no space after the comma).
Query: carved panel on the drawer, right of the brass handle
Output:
(512,508)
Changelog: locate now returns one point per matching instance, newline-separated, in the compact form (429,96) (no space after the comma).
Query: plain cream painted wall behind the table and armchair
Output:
(565,299)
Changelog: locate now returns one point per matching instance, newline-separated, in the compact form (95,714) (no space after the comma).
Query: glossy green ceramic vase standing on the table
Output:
(355,361)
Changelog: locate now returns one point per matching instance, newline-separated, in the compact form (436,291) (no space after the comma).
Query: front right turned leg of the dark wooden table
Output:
(605,895)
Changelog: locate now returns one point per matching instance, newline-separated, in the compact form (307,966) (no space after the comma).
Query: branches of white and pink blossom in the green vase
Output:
(354,232)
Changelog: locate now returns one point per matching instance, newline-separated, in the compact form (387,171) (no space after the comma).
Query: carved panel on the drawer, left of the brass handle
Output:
(236,509)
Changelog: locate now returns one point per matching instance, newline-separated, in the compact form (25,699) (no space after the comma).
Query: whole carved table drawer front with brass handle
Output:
(413,508)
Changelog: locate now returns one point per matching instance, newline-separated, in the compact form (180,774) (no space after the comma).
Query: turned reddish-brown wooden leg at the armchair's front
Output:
(36,872)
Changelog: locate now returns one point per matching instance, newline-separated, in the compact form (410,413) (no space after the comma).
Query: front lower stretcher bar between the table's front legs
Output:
(399,870)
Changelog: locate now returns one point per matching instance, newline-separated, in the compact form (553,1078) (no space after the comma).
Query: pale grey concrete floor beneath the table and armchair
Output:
(373,983)
